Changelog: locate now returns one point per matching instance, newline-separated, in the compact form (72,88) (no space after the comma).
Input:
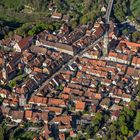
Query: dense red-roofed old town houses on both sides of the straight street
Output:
(90,84)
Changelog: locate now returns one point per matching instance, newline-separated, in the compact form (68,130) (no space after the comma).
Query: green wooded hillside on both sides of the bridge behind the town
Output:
(79,11)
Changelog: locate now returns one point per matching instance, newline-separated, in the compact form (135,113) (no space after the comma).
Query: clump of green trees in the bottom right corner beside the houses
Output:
(127,124)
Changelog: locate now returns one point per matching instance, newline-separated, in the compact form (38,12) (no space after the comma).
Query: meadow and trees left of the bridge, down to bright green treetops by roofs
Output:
(35,14)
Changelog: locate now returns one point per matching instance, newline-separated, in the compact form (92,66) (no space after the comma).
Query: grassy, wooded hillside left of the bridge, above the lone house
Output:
(30,12)
